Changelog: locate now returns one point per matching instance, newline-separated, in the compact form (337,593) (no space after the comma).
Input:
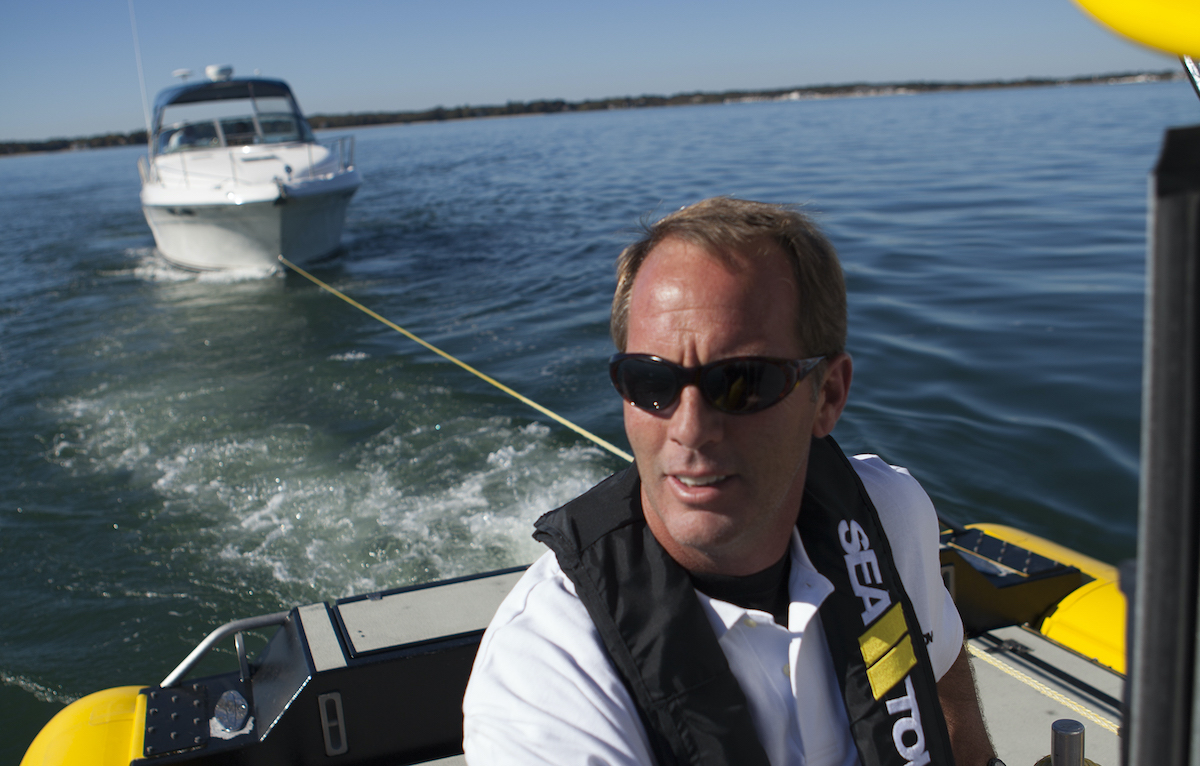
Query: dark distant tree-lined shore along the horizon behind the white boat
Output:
(512,109)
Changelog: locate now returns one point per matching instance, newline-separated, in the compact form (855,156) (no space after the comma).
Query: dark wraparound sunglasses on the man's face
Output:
(740,386)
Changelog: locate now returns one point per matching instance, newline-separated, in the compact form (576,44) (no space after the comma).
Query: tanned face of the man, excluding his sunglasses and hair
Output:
(722,492)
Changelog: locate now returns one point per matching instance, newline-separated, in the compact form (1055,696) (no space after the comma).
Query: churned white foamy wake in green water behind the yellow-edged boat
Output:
(265,512)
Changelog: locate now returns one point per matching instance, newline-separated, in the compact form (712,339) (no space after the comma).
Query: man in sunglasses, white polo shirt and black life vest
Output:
(745,594)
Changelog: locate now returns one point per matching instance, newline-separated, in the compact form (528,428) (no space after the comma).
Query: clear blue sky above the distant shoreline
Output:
(69,67)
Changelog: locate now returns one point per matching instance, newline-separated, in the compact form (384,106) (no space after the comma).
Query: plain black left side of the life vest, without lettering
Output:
(653,626)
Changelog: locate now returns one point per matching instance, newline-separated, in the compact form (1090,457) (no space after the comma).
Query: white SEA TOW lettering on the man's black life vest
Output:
(863,568)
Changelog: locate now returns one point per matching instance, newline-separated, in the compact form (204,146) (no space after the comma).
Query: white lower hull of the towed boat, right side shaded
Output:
(299,224)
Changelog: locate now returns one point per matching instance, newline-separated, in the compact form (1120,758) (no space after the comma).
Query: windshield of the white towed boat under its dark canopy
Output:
(230,123)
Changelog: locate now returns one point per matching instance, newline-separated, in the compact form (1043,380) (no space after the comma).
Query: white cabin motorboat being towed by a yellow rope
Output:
(236,178)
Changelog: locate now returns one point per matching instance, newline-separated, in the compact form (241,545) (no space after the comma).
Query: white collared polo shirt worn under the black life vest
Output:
(544,691)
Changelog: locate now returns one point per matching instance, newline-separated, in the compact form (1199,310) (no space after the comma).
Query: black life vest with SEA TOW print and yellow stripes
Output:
(662,644)
